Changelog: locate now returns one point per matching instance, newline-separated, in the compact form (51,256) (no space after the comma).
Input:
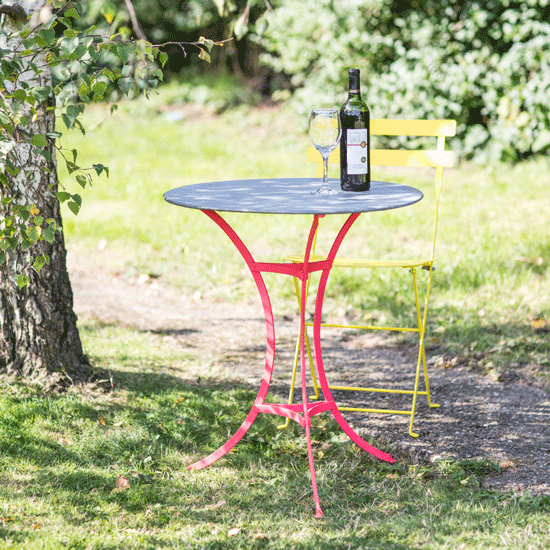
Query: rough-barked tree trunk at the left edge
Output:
(38,333)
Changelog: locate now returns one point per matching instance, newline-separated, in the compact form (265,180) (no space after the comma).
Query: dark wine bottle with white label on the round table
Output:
(355,140)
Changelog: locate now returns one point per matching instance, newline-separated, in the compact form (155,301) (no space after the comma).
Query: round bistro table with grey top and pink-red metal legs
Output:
(291,196)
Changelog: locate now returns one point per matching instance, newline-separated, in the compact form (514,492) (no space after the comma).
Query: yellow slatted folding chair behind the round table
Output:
(438,159)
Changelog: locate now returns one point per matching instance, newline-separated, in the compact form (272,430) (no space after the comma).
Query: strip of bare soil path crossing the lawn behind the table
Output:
(507,422)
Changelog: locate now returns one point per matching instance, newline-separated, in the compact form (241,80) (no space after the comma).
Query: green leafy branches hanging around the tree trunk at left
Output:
(49,61)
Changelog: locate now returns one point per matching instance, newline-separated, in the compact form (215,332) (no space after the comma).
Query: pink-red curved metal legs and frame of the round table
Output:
(304,411)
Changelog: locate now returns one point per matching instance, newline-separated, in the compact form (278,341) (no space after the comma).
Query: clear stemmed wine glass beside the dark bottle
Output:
(325,131)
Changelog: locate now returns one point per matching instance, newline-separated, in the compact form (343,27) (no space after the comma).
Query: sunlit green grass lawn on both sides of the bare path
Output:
(106,470)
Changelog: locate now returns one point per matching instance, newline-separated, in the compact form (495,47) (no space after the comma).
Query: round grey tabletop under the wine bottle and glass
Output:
(290,196)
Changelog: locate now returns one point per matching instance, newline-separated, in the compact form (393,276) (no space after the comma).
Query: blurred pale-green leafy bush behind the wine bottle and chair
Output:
(484,63)
